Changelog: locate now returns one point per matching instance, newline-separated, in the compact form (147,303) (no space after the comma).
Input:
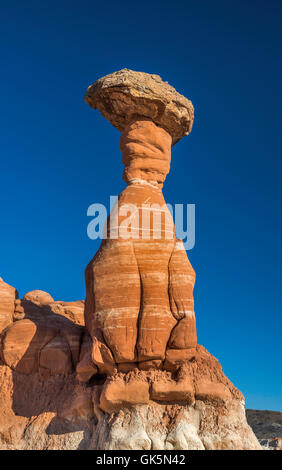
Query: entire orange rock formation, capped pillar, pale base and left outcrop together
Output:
(134,376)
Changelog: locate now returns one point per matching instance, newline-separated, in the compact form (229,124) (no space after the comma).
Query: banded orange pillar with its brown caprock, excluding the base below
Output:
(139,302)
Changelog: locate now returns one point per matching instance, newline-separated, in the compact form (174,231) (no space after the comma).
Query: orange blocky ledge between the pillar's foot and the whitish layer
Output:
(200,377)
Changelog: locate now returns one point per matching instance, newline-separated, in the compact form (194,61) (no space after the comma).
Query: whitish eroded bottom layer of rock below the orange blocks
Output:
(200,426)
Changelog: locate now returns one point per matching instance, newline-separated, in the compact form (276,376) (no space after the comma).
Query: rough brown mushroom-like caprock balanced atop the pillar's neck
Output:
(123,95)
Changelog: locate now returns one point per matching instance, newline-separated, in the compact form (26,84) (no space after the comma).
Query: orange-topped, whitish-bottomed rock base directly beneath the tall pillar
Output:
(196,408)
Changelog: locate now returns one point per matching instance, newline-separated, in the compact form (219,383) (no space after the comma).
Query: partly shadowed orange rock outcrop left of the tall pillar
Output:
(41,351)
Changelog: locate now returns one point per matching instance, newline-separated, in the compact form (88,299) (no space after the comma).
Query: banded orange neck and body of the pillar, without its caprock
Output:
(135,327)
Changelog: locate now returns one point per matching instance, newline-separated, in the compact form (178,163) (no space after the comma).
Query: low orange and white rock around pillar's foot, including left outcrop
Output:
(45,404)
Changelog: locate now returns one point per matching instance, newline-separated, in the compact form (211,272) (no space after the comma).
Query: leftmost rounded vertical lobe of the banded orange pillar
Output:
(113,286)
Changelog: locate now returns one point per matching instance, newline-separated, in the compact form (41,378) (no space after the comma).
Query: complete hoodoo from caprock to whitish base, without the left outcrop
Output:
(163,391)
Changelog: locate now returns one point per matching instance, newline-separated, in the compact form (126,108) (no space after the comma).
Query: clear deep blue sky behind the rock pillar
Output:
(58,156)
